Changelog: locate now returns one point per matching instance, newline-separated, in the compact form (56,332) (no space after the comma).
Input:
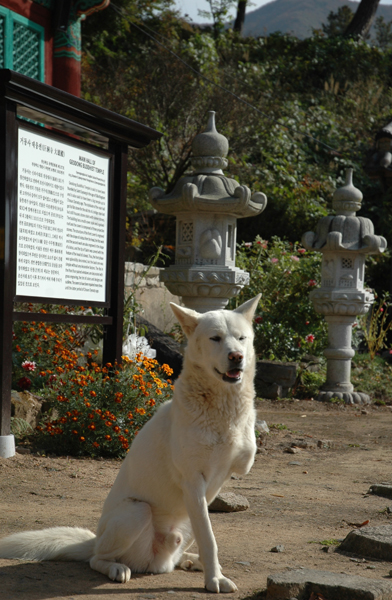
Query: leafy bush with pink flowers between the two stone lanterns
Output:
(286,325)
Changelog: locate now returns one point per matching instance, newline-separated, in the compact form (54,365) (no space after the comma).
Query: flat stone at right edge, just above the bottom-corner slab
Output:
(370,542)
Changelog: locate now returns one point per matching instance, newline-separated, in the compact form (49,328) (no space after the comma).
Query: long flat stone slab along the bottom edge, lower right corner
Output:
(301,583)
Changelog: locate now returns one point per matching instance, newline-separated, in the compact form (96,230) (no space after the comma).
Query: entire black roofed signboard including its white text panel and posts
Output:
(63,174)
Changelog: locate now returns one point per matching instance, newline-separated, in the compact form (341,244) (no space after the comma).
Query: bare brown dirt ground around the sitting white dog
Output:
(297,500)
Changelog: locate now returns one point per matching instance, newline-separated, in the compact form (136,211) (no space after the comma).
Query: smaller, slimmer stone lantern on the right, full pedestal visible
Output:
(344,240)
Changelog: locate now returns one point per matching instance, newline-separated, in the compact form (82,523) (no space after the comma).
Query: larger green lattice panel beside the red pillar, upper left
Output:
(26,51)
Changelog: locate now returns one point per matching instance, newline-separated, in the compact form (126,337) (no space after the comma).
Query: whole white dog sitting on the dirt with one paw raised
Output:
(176,465)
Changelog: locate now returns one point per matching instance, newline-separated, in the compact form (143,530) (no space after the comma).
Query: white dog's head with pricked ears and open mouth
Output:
(220,342)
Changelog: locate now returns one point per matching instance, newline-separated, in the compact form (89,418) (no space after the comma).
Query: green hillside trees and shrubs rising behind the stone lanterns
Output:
(301,90)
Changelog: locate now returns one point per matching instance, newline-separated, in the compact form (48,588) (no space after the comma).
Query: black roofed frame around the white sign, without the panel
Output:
(77,119)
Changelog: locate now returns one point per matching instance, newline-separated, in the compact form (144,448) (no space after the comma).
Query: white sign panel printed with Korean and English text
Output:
(62,235)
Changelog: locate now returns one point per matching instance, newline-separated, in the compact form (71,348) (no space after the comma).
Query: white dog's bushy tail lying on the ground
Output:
(56,543)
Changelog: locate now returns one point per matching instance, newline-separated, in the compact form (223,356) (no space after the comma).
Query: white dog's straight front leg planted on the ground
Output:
(195,501)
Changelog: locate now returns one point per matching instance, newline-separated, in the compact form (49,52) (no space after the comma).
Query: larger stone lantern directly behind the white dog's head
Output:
(206,205)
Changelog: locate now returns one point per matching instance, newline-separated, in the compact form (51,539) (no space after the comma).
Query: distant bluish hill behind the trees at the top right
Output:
(298,17)
